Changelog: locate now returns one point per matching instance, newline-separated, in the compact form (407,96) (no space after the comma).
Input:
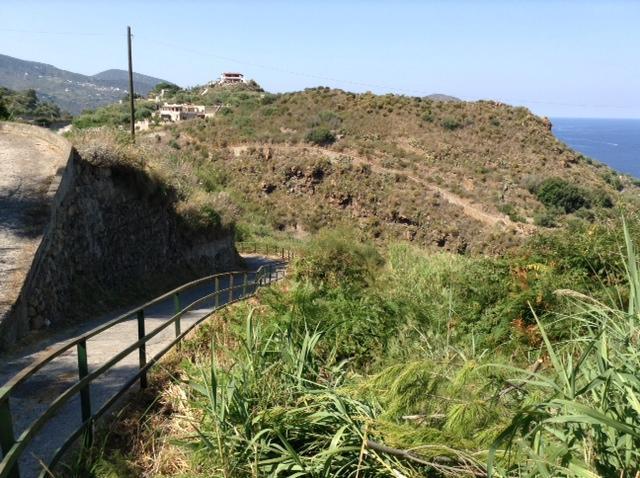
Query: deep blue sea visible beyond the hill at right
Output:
(615,142)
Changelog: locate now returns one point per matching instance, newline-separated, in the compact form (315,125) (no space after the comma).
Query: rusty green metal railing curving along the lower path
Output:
(13,448)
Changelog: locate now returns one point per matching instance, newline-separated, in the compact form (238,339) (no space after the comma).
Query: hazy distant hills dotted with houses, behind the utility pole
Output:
(72,92)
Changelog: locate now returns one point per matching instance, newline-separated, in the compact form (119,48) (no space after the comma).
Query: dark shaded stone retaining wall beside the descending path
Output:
(112,233)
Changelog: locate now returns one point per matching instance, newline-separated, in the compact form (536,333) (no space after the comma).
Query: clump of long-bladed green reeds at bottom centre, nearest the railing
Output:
(271,410)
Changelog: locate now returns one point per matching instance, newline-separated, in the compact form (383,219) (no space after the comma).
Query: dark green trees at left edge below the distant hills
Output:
(26,106)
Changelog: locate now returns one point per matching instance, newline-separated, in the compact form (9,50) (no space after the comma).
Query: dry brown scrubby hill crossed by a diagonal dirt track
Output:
(455,175)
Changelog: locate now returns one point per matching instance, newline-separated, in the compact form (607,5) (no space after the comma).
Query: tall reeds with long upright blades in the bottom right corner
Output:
(589,421)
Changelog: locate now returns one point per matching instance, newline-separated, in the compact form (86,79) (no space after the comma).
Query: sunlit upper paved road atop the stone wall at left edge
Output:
(30,159)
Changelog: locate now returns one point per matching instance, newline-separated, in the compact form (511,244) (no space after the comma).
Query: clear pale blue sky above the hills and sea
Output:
(560,58)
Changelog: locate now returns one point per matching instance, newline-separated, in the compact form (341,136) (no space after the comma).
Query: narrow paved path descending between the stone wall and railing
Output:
(35,395)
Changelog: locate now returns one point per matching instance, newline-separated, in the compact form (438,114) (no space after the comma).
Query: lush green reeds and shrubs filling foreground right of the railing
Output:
(416,365)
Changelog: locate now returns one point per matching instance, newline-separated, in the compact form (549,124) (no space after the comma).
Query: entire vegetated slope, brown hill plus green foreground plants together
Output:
(393,348)
